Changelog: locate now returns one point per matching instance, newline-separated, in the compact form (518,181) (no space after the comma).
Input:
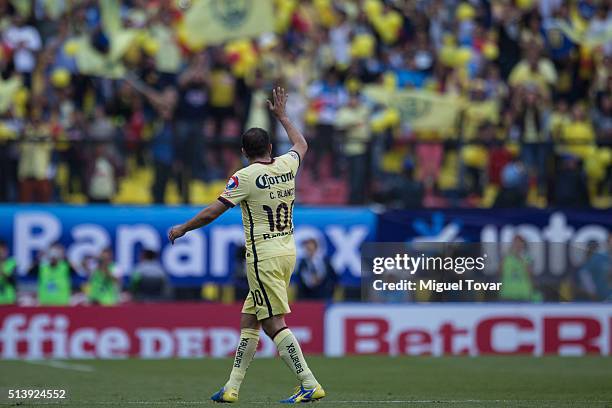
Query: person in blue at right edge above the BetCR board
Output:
(595,274)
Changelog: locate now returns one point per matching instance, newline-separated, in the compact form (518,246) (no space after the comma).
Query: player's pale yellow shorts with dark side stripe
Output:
(268,284)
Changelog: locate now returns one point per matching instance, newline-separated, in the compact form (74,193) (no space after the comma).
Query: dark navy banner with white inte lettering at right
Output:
(558,237)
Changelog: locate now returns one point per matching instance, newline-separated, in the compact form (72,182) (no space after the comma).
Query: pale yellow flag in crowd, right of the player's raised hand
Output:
(421,109)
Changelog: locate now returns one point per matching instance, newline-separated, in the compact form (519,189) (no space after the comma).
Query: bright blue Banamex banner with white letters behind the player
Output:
(205,255)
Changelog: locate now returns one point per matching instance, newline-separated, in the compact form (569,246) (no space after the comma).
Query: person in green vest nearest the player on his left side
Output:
(104,287)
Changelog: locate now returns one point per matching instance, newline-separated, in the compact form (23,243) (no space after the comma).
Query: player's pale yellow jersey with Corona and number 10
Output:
(266,194)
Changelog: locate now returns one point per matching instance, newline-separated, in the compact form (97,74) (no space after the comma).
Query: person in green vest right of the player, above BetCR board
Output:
(516,273)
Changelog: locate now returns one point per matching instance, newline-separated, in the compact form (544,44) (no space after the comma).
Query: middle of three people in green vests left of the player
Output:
(54,280)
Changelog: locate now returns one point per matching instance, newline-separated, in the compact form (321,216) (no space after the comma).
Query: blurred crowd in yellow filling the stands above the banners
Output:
(119,102)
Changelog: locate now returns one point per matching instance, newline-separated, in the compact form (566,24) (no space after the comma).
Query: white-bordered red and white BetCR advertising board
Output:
(468,329)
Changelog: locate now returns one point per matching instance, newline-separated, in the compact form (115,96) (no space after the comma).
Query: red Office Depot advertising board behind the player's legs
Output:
(151,331)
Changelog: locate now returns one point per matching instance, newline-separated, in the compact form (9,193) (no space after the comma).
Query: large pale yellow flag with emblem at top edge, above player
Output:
(216,21)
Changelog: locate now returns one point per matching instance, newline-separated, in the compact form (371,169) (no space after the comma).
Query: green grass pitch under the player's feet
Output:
(353,381)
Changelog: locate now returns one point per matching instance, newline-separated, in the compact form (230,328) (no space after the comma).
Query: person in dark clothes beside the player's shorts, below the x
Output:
(315,275)
